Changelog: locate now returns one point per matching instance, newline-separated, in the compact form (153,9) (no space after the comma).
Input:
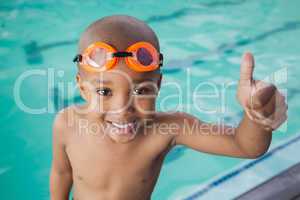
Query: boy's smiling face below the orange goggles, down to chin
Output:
(122,100)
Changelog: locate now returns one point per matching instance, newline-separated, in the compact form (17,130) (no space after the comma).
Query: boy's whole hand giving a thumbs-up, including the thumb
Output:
(262,102)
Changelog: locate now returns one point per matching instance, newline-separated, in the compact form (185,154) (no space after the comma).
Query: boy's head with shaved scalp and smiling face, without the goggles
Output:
(121,99)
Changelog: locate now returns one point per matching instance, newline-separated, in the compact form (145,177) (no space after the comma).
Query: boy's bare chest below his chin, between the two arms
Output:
(97,163)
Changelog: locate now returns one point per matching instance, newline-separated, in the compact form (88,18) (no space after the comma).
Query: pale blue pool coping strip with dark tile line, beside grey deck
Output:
(246,176)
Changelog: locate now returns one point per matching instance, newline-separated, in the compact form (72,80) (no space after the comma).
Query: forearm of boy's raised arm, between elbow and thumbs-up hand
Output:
(252,138)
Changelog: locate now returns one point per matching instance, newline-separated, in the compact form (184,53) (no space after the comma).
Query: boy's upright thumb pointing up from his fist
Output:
(247,68)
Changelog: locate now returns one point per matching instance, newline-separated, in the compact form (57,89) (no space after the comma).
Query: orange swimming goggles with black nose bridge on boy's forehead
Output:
(140,57)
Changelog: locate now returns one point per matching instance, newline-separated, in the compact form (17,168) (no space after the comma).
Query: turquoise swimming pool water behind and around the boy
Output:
(202,42)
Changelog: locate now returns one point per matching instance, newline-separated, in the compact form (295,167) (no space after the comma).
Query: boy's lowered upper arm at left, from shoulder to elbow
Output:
(60,160)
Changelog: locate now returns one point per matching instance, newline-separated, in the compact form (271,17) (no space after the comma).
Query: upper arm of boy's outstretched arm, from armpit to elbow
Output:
(205,137)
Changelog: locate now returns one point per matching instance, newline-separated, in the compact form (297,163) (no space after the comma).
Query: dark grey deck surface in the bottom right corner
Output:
(285,185)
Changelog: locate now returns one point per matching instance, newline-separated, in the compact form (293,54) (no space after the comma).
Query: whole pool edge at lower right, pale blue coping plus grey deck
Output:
(276,175)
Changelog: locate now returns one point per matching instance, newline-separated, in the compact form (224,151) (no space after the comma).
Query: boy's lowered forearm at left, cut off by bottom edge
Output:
(60,185)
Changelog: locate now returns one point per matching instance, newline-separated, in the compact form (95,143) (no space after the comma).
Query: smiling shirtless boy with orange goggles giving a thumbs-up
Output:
(113,146)
